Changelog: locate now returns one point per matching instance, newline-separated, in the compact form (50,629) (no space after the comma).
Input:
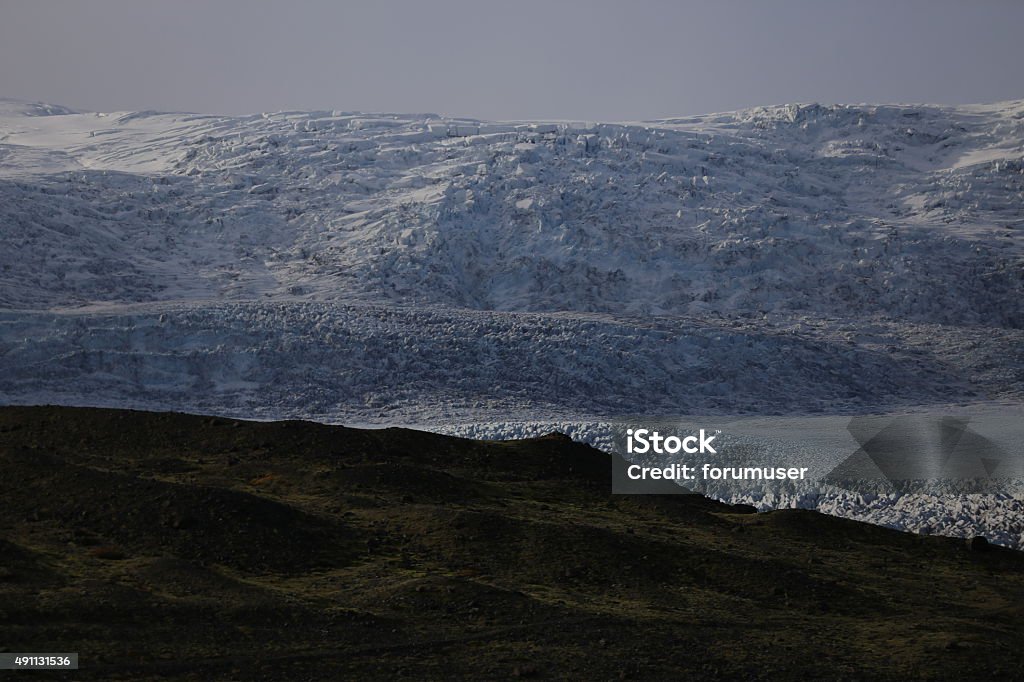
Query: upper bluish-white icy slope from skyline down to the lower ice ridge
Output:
(907,212)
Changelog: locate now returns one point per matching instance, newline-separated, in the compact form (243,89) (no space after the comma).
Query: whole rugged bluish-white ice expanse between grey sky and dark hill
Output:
(498,279)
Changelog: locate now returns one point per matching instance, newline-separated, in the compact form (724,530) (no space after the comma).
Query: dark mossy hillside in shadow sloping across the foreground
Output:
(187,547)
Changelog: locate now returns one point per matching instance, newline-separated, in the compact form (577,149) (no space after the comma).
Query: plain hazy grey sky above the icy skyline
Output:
(559,60)
